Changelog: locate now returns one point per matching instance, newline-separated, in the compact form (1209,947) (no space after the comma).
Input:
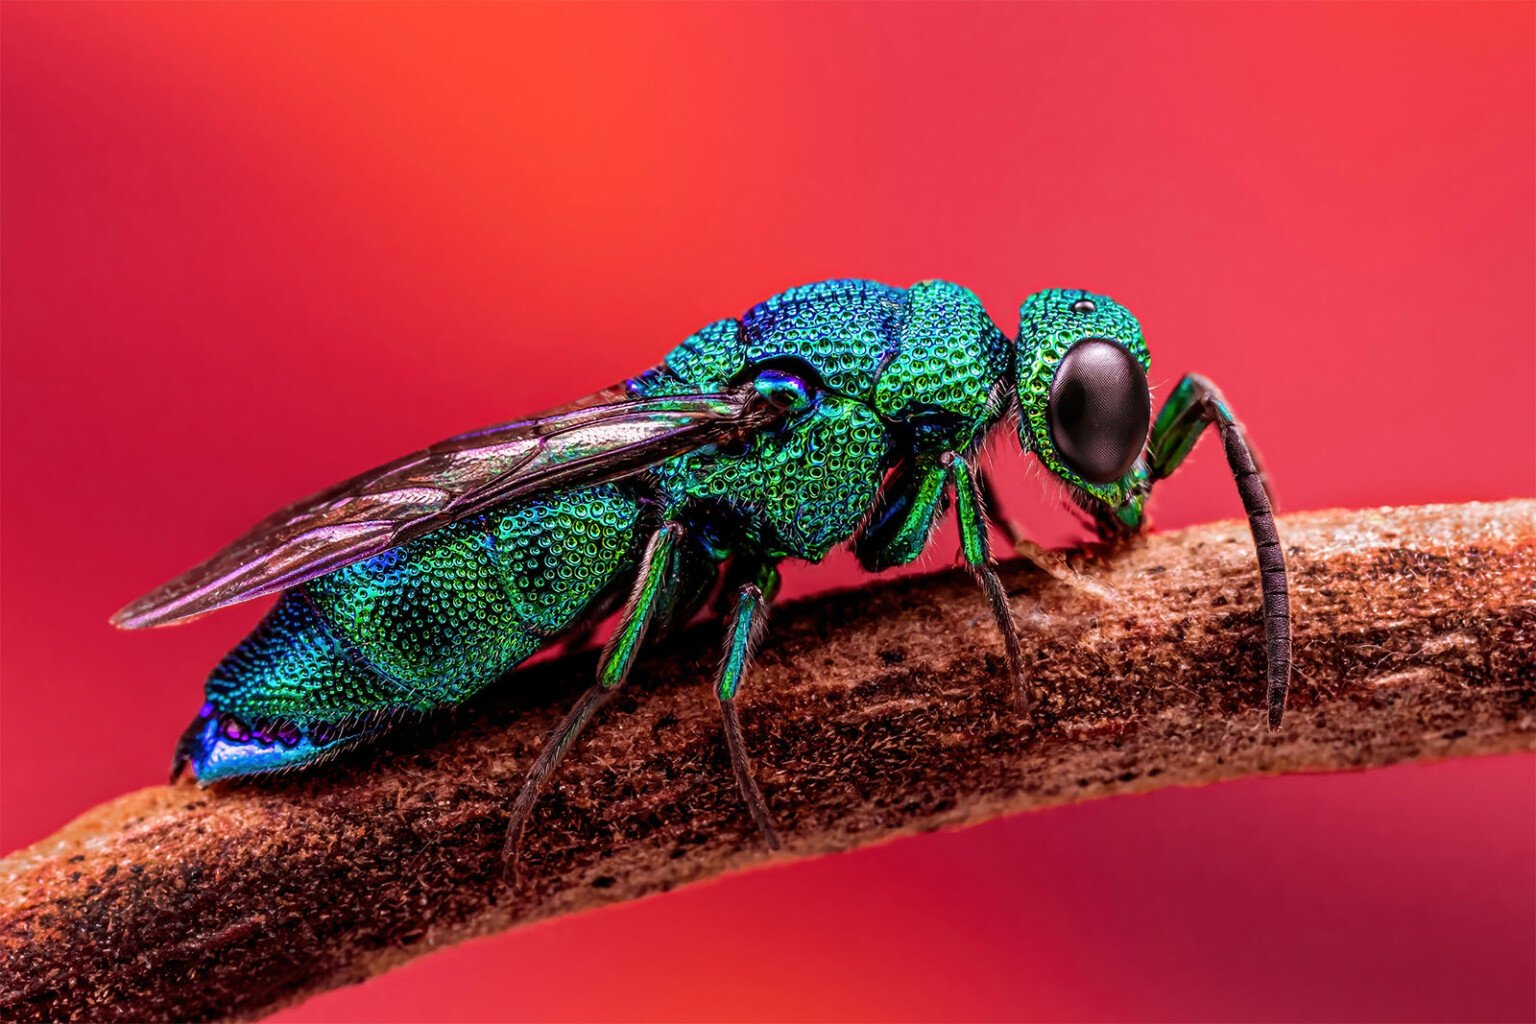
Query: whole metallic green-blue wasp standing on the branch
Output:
(836,412)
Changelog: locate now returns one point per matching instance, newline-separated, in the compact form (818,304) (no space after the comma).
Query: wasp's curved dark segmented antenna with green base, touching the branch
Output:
(1194,406)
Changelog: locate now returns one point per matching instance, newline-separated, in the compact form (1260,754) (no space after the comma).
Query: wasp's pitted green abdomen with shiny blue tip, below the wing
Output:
(419,627)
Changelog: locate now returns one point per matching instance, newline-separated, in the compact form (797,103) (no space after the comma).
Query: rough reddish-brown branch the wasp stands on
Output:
(872,715)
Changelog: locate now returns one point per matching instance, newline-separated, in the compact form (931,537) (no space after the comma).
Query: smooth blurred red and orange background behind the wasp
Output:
(253,249)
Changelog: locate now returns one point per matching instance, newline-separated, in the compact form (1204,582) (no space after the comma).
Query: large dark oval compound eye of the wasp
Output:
(1101,411)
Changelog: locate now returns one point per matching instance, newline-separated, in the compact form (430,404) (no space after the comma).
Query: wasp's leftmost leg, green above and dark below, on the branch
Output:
(652,592)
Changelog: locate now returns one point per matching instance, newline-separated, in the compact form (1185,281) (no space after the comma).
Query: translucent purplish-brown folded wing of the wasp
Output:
(606,437)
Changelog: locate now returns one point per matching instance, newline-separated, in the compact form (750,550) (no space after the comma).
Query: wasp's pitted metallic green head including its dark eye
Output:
(1084,398)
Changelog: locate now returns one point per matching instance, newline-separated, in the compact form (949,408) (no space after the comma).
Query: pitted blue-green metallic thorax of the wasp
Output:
(895,372)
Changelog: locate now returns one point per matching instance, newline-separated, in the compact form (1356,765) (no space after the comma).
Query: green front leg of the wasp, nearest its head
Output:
(898,533)
